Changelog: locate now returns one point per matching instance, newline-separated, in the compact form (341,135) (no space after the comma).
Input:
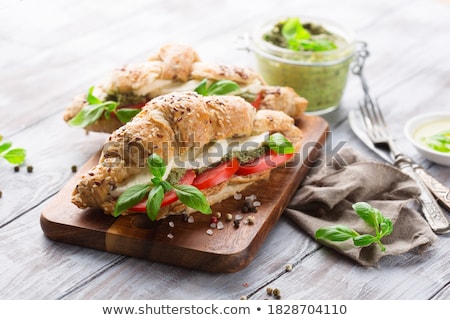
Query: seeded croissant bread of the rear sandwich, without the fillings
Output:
(180,64)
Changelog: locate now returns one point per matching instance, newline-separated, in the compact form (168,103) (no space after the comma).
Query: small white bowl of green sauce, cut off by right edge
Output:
(434,122)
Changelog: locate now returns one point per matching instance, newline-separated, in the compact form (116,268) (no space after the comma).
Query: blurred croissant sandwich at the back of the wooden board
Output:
(175,67)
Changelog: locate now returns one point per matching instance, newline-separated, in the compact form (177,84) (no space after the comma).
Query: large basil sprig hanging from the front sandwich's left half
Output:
(155,190)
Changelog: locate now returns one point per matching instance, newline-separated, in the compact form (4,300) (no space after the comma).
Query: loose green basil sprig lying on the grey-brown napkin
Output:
(372,216)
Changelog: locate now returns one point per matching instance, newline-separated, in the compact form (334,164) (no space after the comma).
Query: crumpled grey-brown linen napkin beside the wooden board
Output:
(327,194)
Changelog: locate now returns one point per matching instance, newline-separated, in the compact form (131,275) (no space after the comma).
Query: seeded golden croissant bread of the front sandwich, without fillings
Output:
(169,126)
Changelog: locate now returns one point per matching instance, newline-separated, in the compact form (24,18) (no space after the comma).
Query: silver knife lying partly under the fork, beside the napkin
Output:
(439,190)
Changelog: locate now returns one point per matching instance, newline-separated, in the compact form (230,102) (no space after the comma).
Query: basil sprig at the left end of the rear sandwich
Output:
(96,108)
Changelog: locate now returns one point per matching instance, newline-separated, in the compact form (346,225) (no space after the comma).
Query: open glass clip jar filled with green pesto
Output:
(319,76)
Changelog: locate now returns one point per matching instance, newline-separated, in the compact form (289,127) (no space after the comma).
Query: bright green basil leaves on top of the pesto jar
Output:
(299,39)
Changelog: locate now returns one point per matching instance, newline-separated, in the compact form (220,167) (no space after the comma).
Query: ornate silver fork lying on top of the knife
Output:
(378,132)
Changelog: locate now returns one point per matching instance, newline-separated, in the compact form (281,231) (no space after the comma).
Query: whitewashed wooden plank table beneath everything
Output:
(53,50)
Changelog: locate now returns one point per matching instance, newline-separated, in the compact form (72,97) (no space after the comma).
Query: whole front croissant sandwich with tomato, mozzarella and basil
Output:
(185,152)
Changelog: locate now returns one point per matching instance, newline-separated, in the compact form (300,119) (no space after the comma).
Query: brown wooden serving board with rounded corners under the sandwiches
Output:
(227,250)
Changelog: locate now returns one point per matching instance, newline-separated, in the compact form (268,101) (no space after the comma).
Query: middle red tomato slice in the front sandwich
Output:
(213,176)
